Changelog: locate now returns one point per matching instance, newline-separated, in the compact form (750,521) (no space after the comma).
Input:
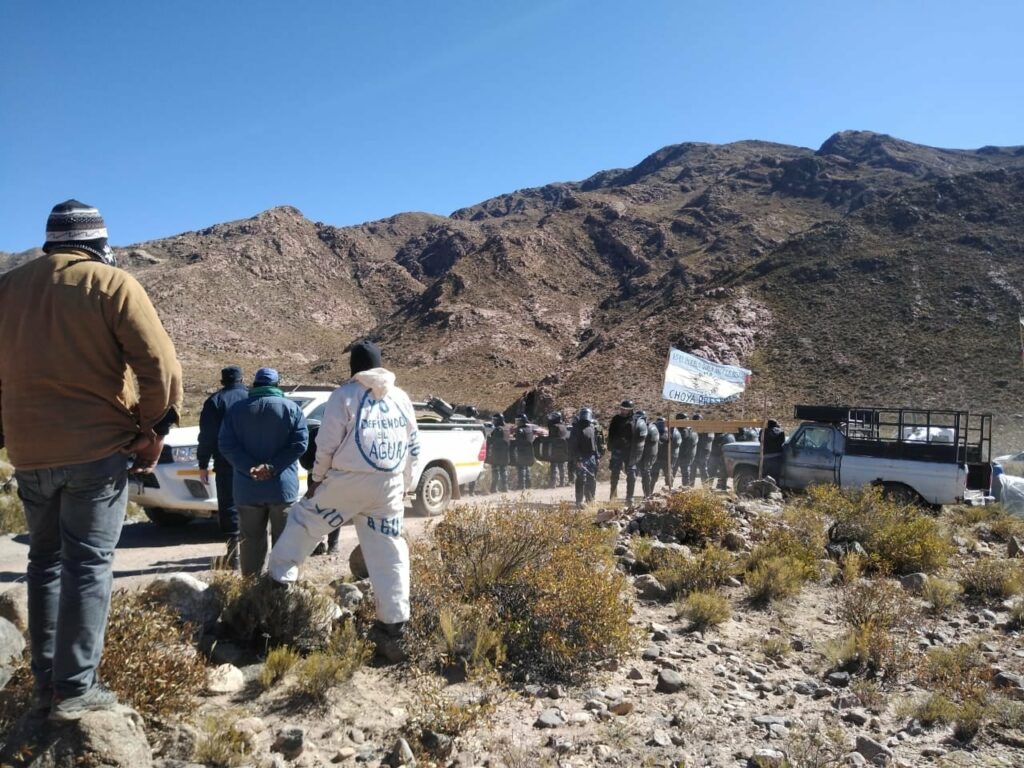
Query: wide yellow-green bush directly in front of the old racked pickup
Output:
(898,537)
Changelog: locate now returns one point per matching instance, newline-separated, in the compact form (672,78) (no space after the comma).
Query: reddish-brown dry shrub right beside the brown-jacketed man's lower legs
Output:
(149,661)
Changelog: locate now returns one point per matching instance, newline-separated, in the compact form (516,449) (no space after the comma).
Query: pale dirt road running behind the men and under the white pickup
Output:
(147,550)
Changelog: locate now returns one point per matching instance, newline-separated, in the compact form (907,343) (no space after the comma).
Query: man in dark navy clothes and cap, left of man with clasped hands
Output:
(232,391)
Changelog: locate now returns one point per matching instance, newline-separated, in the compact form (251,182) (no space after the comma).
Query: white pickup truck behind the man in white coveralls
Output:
(452,453)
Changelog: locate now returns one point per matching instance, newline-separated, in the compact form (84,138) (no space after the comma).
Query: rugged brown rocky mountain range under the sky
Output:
(872,271)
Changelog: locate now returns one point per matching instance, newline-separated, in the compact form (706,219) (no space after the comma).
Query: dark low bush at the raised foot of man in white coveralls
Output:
(263,616)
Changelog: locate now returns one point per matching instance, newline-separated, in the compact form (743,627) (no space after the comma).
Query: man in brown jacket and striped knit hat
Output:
(71,326)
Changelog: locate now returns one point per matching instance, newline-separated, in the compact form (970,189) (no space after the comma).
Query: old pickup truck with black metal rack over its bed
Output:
(934,457)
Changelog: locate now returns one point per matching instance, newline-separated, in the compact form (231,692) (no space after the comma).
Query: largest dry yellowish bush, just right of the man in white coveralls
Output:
(545,583)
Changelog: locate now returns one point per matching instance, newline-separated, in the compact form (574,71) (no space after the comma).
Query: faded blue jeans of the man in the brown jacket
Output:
(75,516)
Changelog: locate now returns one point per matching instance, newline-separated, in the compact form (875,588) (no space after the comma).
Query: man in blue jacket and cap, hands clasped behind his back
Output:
(263,438)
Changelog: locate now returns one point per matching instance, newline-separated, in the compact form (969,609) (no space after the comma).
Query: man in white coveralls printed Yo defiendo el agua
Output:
(367,452)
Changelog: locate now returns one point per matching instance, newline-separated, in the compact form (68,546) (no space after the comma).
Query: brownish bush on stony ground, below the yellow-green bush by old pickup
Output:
(878,615)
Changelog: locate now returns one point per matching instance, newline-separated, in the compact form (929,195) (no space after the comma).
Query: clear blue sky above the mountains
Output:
(176,116)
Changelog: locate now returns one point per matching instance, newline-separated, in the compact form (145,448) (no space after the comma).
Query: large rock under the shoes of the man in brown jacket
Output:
(109,739)
